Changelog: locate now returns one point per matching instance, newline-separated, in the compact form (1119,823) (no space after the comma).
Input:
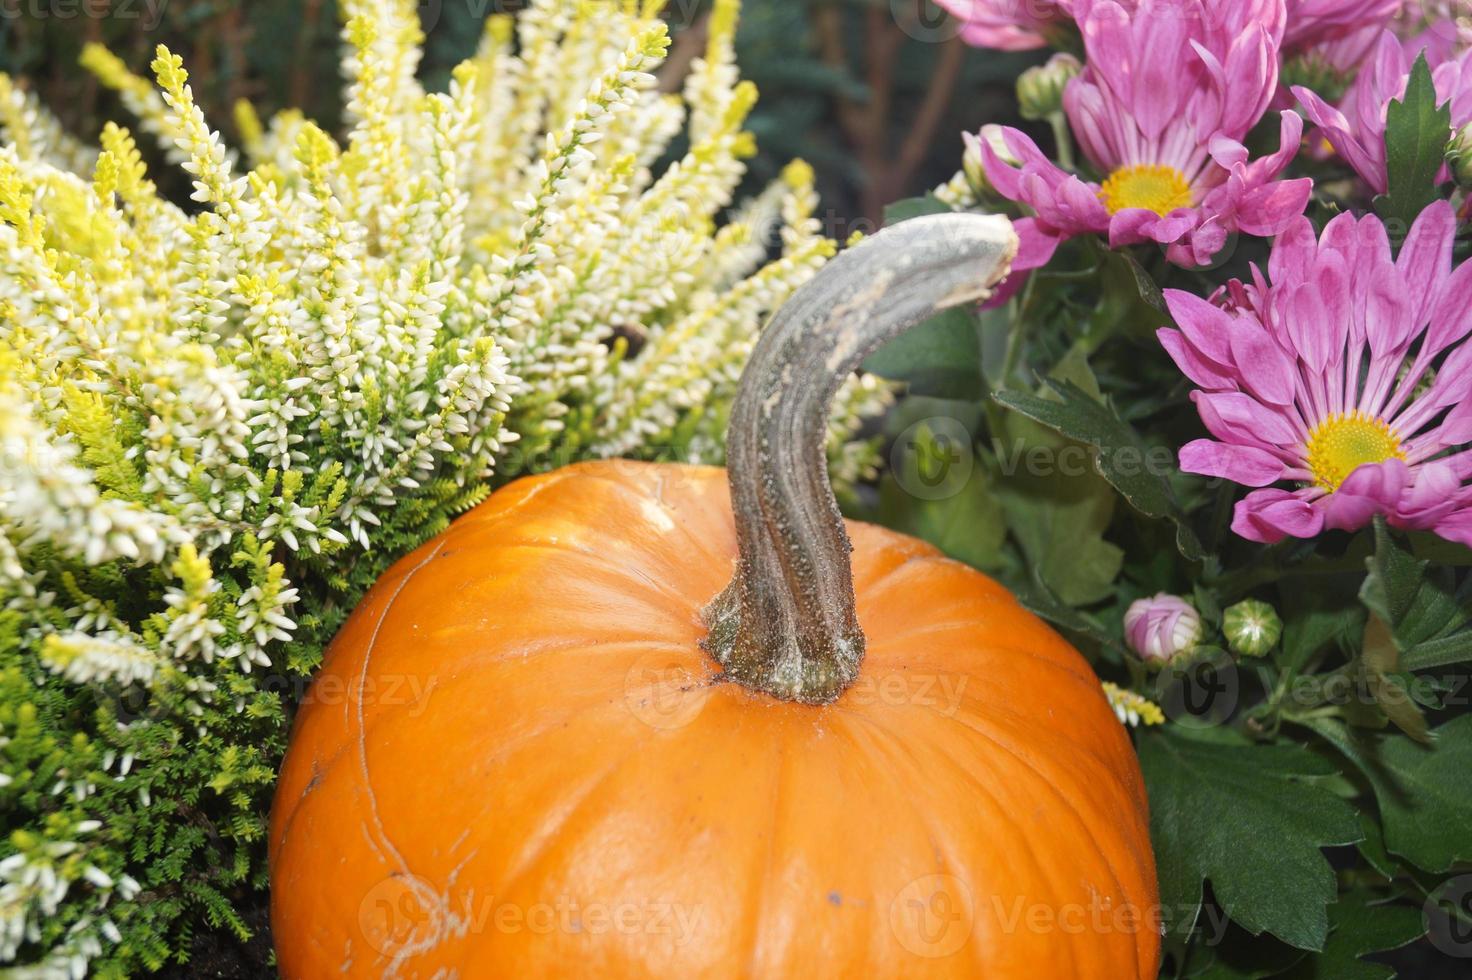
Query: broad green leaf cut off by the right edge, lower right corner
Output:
(1424,792)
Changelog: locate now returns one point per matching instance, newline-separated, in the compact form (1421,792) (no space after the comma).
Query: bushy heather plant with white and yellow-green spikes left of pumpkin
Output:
(222,420)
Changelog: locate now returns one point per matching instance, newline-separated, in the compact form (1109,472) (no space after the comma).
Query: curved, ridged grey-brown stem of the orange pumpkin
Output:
(787,623)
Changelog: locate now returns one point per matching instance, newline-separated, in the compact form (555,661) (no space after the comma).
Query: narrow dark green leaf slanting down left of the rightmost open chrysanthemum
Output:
(1122,457)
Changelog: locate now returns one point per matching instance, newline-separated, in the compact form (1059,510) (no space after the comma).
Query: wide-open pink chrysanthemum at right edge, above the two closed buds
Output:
(1348,374)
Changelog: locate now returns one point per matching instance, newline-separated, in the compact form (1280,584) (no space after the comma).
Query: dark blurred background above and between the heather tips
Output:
(874,93)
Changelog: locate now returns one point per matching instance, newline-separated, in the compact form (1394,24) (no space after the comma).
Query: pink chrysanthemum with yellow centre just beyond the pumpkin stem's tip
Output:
(1162,108)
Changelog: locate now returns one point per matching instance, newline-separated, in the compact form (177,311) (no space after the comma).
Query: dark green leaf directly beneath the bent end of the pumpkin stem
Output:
(941,358)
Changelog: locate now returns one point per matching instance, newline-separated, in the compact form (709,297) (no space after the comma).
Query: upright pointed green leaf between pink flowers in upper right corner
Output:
(1417,135)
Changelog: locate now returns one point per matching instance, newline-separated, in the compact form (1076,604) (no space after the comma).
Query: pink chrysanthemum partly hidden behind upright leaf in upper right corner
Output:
(1356,130)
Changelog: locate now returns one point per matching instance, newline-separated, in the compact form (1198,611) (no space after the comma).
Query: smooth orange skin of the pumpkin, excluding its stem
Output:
(517,761)
